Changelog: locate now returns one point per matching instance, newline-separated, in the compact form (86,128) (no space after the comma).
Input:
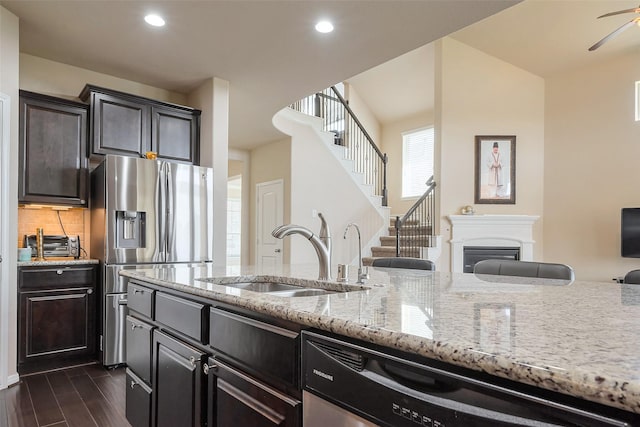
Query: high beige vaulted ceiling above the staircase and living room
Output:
(544,37)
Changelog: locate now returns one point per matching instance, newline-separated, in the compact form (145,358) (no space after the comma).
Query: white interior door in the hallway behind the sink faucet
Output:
(270,214)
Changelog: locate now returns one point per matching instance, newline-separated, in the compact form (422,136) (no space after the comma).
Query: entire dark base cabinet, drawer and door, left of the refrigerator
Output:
(57,316)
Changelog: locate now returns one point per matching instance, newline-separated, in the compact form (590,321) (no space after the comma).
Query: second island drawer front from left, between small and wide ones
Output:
(186,317)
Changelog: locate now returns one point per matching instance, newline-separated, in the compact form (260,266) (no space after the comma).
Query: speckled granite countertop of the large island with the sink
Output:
(581,339)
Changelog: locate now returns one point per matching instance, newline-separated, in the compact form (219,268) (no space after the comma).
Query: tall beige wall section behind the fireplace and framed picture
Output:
(477,94)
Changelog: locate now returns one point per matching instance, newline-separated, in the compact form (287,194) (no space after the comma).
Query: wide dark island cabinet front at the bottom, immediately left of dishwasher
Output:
(235,399)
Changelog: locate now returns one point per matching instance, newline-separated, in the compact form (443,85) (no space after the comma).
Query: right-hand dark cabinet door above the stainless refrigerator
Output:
(175,134)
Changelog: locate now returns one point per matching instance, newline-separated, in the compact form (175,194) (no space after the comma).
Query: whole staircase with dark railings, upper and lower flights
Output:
(352,146)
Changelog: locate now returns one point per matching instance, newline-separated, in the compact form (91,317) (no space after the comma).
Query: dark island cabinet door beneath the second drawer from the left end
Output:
(178,388)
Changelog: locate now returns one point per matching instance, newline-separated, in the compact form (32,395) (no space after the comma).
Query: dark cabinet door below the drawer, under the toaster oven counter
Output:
(56,323)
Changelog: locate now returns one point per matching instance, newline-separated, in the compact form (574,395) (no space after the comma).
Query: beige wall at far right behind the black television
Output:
(592,166)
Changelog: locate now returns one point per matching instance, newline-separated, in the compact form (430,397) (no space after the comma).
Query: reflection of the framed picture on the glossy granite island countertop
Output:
(495,326)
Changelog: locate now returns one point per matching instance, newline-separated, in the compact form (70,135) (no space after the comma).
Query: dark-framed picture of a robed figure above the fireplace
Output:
(495,169)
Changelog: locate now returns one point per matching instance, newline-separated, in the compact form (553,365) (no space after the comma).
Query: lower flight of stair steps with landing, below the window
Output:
(412,246)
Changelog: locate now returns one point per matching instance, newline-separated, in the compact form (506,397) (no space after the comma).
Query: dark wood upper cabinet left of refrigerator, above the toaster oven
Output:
(53,150)
